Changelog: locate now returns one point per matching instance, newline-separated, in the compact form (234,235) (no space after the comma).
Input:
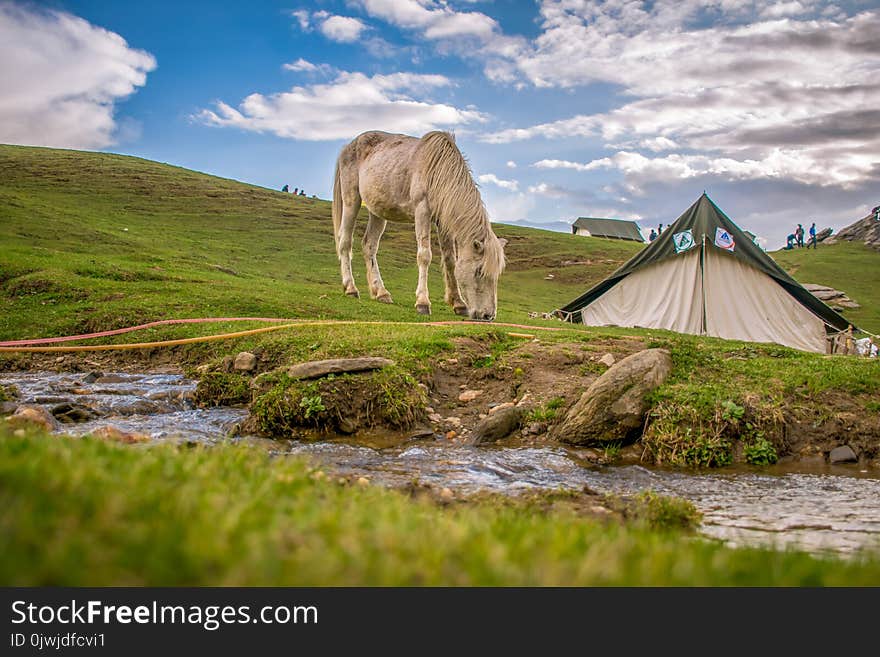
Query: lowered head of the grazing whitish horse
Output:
(478,264)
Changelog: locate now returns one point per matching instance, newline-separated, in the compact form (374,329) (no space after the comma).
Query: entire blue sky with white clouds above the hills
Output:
(564,108)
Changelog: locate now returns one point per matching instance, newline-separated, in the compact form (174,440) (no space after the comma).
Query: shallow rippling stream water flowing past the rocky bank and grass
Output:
(833,509)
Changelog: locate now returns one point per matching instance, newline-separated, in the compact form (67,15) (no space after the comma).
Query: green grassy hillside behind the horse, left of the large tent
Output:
(93,241)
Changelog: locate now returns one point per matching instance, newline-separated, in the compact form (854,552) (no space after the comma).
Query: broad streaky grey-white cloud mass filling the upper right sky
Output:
(789,98)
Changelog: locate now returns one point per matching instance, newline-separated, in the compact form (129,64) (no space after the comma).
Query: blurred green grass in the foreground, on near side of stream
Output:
(84,512)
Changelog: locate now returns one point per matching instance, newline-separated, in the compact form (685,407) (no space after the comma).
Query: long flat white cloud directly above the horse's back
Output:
(349,105)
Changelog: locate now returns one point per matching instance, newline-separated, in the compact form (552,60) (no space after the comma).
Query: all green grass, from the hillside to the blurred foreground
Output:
(94,241)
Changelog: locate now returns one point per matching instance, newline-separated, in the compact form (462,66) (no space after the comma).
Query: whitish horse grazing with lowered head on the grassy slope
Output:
(403,178)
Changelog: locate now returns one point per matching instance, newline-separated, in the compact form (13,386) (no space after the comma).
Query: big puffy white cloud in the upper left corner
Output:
(62,77)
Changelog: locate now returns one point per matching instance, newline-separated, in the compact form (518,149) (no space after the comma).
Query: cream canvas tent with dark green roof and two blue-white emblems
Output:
(704,276)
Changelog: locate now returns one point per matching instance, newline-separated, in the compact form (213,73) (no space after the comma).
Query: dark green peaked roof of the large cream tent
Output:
(702,218)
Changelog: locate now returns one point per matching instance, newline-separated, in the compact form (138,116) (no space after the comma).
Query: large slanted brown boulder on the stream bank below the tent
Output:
(613,408)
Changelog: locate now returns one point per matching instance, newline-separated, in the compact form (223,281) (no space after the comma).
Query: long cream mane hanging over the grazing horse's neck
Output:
(454,198)
